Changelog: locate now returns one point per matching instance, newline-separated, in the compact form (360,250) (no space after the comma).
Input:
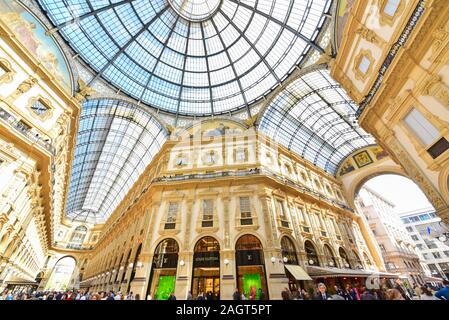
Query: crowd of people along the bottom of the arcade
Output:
(348,292)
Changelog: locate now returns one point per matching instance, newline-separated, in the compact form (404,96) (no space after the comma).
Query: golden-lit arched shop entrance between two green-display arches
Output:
(206,268)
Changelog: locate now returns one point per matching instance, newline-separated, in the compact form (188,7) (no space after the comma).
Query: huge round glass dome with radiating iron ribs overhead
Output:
(191,57)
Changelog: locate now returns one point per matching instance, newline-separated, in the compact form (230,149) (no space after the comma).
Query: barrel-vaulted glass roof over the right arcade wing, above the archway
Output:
(315,118)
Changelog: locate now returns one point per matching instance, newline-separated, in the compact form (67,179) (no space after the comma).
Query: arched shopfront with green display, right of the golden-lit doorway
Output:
(250,264)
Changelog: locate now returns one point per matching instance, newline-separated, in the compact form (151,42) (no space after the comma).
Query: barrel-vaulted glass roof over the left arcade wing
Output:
(116,141)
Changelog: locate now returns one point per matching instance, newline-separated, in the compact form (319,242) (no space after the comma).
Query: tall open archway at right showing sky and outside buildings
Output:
(393,204)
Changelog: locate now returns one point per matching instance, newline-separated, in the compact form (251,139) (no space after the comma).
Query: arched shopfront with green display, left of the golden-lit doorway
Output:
(163,271)
